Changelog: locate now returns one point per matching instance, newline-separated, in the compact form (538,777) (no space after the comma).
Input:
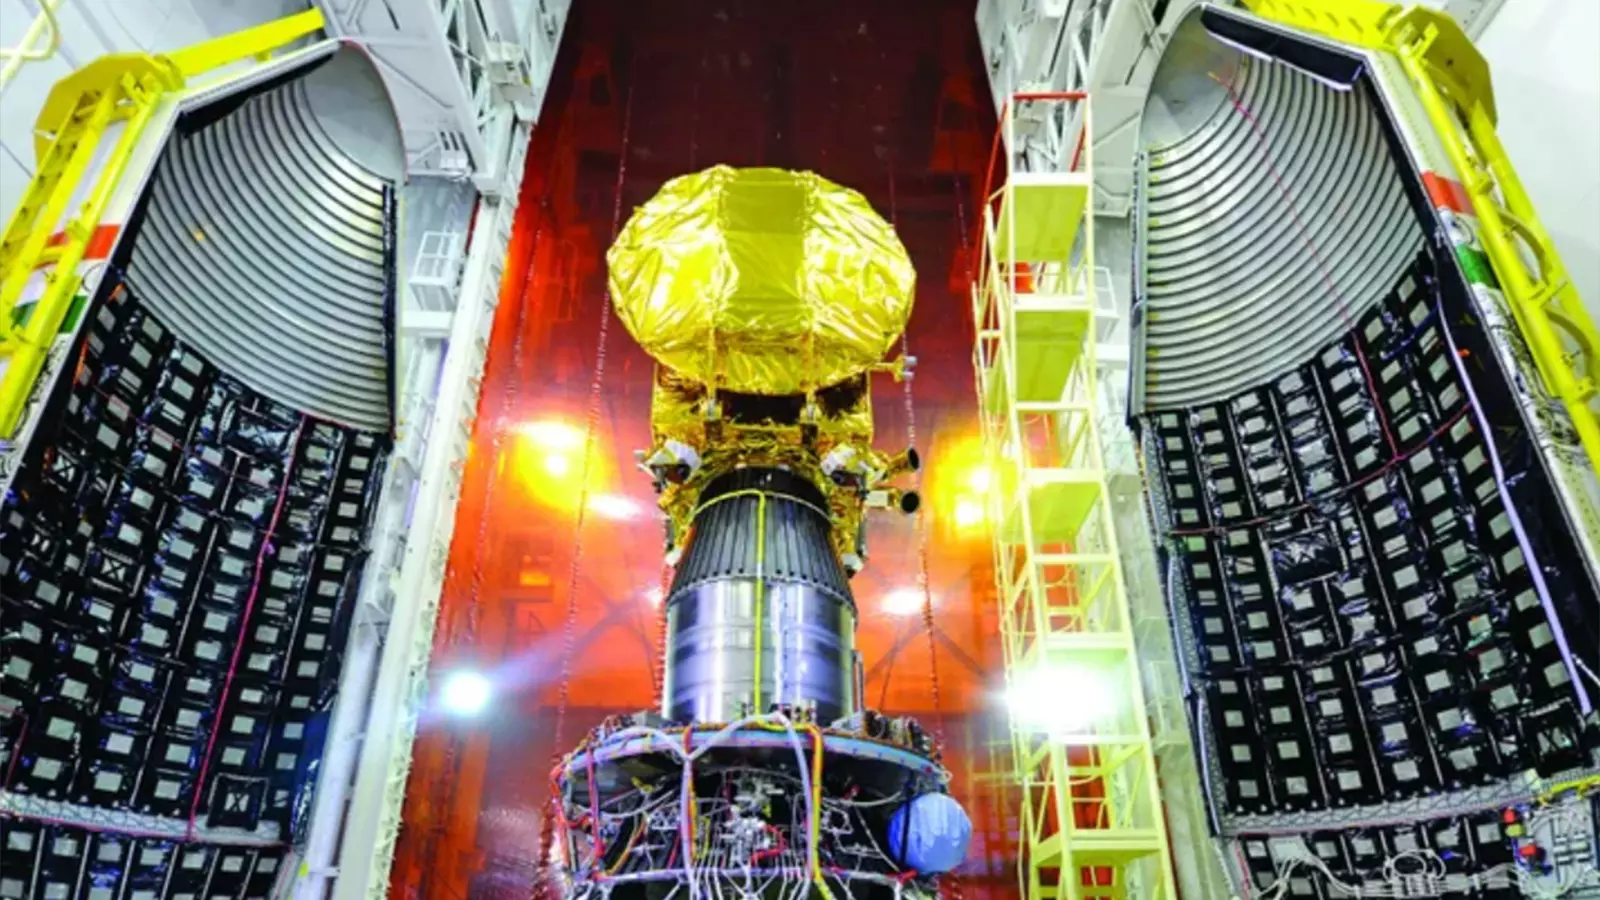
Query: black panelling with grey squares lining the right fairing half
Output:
(1366,622)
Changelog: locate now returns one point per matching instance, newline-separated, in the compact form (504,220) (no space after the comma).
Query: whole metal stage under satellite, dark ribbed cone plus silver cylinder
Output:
(761,611)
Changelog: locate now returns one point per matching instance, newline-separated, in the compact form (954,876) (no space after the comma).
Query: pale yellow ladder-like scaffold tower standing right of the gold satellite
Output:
(1092,824)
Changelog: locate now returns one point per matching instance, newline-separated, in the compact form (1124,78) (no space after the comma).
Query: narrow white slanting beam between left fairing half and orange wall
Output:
(374,741)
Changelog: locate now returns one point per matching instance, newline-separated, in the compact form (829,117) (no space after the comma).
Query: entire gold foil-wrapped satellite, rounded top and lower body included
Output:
(767,299)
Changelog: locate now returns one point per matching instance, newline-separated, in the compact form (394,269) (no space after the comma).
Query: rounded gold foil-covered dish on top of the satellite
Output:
(761,281)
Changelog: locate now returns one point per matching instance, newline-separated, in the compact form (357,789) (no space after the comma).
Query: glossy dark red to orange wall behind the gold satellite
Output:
(889,98)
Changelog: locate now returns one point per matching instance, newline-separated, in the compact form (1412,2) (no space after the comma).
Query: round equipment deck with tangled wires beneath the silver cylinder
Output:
(759,808)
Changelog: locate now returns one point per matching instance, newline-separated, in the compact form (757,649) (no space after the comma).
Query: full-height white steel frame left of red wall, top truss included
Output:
(468,79)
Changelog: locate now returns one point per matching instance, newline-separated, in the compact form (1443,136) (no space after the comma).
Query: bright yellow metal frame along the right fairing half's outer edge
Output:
(1452,81)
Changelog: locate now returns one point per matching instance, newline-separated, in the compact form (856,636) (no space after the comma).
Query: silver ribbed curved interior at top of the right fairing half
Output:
(1273,215)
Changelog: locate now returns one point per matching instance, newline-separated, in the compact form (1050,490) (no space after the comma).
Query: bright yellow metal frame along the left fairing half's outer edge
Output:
(70,140)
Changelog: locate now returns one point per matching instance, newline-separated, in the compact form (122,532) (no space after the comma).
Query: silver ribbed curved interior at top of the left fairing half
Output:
(266,244)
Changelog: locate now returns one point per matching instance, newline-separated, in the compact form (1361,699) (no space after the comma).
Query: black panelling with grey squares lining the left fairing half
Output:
(178,566)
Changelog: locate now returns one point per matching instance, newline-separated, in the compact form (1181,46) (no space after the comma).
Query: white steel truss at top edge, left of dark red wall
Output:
(462,74)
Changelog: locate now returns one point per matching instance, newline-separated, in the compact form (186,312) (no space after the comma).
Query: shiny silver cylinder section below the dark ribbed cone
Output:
(807,651)
